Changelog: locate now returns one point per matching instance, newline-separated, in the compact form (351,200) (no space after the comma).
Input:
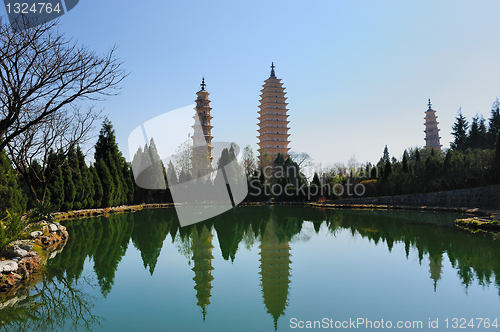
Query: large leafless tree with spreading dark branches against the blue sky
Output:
(42,74)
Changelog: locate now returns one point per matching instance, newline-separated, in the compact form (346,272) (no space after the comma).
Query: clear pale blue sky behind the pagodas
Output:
(357,73)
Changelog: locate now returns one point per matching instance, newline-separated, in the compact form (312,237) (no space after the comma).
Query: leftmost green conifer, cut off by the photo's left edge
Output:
(11,197)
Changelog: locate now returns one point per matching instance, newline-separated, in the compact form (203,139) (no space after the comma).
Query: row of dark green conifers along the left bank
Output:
(67,182)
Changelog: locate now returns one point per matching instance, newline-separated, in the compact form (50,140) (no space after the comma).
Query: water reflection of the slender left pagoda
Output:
(202,258)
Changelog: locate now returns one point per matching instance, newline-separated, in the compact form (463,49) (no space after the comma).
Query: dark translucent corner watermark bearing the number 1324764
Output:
(24,14)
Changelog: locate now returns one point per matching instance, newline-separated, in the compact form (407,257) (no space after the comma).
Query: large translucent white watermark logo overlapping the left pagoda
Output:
(205,179)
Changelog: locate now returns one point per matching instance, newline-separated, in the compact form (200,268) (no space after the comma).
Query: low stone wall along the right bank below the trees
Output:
(483,198)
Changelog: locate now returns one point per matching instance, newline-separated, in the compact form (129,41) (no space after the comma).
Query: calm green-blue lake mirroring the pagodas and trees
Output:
(264,268)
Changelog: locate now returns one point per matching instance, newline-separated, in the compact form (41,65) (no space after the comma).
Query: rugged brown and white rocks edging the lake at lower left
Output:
(21,262)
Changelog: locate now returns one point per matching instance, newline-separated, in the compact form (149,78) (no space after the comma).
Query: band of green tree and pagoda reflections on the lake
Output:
(60,301)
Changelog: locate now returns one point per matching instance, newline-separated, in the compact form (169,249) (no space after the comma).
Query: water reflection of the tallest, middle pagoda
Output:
(274,270)
